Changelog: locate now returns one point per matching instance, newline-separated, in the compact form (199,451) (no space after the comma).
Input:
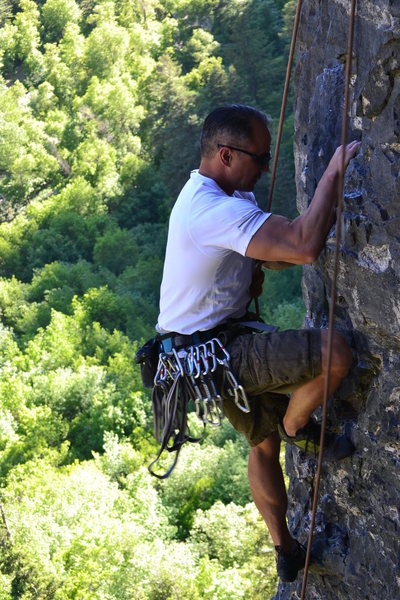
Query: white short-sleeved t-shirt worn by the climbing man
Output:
(206,275)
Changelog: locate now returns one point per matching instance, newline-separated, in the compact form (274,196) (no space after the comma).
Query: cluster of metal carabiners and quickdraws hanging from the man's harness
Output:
(186,379)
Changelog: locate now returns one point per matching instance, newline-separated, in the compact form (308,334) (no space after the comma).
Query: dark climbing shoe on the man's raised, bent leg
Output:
(307,439)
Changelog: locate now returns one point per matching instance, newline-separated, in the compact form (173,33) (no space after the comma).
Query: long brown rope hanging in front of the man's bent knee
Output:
(333,288)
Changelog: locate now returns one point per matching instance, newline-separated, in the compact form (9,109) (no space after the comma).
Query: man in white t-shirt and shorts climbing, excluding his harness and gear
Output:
(217,233)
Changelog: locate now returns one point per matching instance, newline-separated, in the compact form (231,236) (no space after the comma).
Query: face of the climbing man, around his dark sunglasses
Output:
(246,169)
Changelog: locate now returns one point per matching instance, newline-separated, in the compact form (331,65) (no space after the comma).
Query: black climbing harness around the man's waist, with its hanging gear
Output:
(191,373)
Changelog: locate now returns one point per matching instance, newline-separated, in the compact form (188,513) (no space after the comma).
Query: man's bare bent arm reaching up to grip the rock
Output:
(300,241)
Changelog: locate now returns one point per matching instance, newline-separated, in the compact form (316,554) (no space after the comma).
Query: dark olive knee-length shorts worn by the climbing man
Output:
(269,366)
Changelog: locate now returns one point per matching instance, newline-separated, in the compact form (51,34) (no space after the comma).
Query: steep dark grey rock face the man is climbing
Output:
(357,529)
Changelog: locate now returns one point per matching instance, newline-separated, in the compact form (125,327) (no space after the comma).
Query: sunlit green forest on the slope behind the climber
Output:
(101,106)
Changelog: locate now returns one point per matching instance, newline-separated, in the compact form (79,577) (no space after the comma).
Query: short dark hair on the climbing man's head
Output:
(229,124)
